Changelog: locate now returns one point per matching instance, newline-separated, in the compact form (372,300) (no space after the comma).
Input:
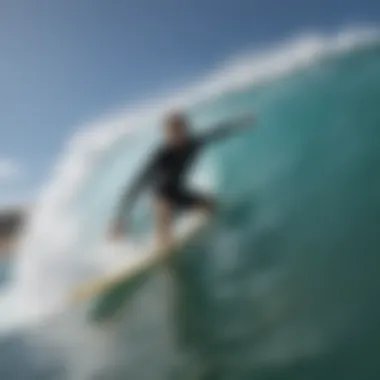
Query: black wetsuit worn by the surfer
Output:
(167,169)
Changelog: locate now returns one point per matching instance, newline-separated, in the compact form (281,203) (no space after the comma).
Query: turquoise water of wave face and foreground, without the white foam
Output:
(286,284)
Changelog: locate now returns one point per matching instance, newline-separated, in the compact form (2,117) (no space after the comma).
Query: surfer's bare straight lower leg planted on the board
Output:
(164,220)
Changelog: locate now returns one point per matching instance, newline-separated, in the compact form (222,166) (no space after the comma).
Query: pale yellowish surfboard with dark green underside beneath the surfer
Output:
(108,293)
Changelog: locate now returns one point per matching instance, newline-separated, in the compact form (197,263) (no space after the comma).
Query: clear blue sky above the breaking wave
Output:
(66,62)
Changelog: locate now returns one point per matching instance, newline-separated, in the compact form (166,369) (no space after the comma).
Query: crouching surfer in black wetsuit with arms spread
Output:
(166,172)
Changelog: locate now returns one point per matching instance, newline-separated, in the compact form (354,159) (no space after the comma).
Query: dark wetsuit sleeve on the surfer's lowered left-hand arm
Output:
(138,185)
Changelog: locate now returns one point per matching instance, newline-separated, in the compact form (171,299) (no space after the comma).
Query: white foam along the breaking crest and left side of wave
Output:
(50,256)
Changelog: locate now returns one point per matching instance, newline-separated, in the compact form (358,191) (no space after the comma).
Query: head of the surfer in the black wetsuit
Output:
(176,129)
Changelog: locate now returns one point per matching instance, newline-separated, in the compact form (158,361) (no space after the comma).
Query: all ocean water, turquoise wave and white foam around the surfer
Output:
(285,283)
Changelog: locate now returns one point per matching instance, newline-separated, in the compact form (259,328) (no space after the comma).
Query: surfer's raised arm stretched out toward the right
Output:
(227,129)
